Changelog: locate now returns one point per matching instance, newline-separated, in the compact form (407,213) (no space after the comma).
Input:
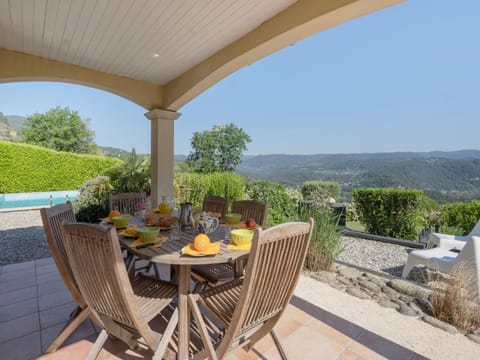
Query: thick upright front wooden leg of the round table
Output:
(183,311)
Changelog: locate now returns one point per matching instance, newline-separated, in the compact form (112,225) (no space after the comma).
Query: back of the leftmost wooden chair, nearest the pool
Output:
(53,219)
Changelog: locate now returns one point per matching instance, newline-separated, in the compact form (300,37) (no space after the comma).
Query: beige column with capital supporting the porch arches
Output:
(162,139)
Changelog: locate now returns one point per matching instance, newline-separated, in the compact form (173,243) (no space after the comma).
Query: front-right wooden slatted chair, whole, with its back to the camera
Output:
(248,308)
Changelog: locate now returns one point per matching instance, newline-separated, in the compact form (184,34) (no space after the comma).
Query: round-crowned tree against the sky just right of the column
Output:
(217,150)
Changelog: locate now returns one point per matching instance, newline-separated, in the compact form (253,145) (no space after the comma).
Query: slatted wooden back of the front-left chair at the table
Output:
(97,263)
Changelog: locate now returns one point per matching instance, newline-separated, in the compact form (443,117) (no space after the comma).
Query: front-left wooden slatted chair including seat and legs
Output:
(124,308)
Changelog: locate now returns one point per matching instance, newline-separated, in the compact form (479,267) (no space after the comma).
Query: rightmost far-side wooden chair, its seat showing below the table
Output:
(211,275)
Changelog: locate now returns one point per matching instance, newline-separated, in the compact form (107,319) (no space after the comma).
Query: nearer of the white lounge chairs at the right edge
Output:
(445,261)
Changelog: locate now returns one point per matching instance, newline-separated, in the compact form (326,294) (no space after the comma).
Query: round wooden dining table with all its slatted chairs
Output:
(220,297)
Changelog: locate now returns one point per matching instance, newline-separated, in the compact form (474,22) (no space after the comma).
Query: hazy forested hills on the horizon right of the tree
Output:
(445,176)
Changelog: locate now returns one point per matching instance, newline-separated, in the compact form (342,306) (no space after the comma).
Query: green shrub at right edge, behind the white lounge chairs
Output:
(461,217)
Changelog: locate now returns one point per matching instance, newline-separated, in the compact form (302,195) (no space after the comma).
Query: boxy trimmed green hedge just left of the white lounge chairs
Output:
(389,212)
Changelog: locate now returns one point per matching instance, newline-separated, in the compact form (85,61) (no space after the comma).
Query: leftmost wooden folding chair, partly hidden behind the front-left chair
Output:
(53,218)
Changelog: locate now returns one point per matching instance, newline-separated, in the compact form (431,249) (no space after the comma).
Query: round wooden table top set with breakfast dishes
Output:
(170,251)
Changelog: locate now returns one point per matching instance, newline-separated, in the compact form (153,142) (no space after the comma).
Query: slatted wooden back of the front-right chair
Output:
(272,273)
